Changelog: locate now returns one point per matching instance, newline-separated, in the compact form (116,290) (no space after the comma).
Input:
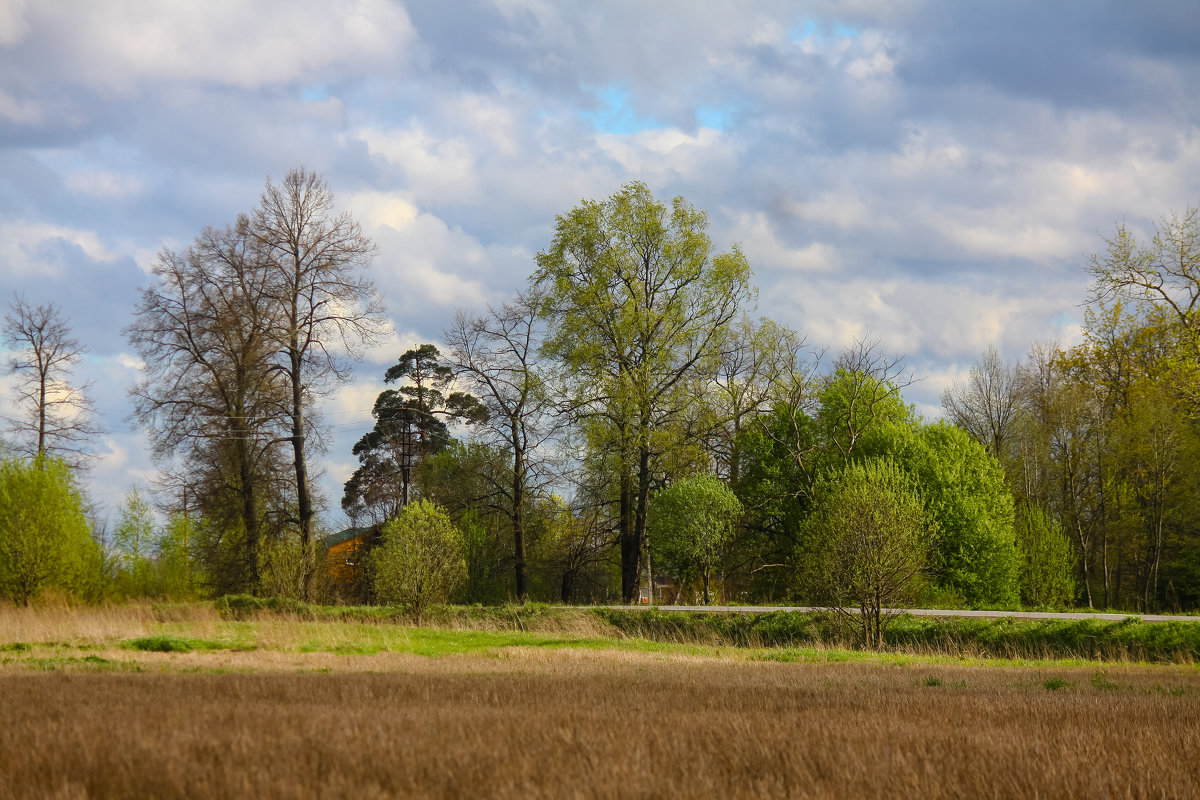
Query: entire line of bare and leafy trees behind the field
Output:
(627,426)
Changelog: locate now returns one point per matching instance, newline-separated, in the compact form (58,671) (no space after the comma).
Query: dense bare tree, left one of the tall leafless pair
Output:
(209,398)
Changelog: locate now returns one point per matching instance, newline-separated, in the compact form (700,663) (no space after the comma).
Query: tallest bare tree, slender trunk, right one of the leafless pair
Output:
(326,310)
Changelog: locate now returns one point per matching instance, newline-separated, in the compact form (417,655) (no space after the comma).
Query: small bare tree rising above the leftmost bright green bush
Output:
(56,416)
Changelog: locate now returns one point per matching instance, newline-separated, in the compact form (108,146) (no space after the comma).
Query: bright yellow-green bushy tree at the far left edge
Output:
(45,538)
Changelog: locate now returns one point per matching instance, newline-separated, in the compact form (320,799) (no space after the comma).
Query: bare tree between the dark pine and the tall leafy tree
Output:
(496,356)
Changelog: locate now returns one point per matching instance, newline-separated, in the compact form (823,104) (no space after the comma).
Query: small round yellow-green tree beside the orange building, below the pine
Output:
(421,561)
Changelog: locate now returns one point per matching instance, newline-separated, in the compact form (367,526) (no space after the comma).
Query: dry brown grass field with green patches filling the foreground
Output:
(170,703)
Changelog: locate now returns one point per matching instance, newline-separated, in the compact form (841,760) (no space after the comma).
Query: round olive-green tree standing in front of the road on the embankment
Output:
(866,546)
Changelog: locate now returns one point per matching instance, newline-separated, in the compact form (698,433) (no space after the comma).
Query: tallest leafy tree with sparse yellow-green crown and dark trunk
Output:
(639,304)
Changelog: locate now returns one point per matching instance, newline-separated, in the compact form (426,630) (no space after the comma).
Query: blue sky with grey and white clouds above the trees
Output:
(929,175)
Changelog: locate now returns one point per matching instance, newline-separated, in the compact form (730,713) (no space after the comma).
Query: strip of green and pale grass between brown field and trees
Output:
(244,625)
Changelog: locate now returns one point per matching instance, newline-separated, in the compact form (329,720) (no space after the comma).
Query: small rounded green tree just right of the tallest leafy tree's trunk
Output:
(692,522)
